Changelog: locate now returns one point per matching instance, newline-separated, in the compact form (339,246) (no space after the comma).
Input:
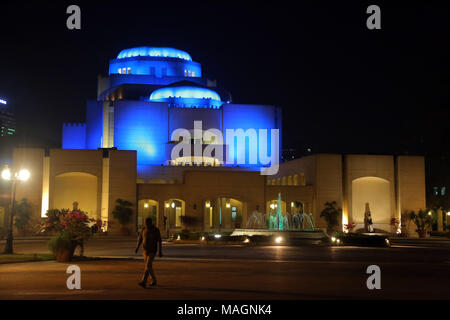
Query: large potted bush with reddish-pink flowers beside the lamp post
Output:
(71,229)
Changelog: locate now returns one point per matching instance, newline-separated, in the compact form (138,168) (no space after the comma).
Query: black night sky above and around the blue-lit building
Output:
(342,88)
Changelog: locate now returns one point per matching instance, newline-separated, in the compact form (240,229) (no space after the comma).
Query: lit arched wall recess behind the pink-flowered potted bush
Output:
(76,186)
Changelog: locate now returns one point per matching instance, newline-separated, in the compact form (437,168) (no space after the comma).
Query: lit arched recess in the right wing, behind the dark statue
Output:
(376,192)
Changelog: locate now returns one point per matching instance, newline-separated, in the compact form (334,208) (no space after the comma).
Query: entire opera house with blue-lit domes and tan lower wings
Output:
(125,150)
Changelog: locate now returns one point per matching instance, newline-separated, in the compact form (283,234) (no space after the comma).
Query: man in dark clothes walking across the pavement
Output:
(150,238)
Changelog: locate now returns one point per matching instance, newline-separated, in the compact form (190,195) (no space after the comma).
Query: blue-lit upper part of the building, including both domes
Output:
(149,93)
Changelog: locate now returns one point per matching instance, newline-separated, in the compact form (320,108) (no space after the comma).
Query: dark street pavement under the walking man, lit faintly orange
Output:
(234,272)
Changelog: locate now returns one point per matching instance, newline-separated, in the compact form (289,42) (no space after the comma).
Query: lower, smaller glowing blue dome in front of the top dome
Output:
(184,92)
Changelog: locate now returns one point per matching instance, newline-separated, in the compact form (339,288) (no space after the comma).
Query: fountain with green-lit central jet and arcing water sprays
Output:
(293,226)
